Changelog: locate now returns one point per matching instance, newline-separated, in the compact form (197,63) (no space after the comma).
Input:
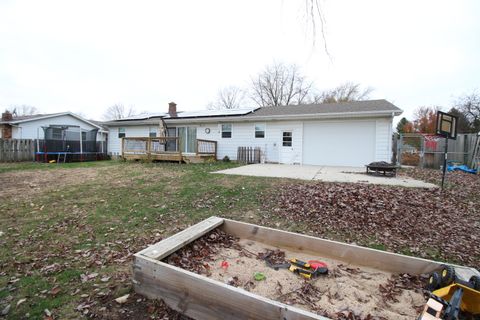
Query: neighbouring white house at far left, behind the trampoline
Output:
(33,126)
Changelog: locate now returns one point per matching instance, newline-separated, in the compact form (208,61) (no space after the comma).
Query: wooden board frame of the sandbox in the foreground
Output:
(200,297)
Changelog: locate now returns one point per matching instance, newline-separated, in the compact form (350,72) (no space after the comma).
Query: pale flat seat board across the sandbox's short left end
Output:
(167,246)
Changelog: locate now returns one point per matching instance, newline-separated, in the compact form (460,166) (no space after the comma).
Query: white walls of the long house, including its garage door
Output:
(348,142)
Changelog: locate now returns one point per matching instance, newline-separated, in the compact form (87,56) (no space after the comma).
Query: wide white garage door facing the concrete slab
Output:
(347,143)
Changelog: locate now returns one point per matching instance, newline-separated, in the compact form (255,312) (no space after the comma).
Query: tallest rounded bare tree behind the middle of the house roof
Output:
(279,85)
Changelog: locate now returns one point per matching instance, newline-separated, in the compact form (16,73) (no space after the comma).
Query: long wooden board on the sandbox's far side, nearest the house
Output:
(361,256)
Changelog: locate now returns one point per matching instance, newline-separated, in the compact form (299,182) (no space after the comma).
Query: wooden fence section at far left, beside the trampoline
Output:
(13,150)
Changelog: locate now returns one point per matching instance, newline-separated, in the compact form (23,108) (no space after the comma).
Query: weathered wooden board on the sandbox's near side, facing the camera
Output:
(202,298)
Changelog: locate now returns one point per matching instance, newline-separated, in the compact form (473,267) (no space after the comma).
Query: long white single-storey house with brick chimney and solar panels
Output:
(341,134)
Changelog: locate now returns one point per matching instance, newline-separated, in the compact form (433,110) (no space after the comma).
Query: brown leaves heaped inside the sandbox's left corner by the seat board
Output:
(196,256)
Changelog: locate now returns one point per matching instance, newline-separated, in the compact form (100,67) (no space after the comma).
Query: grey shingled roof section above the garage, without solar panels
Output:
(370,106)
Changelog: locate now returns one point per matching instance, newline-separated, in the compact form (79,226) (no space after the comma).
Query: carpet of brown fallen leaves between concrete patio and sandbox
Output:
(442,225)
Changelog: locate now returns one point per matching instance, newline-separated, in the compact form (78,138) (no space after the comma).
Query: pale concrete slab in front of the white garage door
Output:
(323,173)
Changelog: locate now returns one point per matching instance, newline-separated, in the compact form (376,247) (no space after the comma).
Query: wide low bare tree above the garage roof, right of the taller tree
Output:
(345,92)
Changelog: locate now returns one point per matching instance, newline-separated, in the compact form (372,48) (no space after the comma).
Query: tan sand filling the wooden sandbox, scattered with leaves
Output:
(345,288)
